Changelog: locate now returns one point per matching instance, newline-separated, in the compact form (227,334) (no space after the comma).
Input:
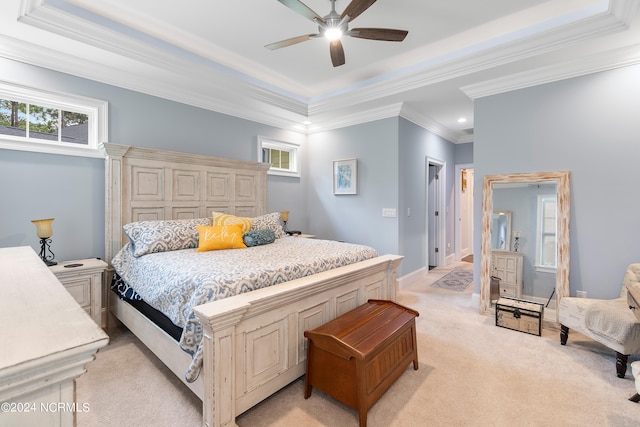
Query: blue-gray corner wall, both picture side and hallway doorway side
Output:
(392,157)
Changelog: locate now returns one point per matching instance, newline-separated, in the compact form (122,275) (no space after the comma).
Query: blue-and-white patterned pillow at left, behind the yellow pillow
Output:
(165,235)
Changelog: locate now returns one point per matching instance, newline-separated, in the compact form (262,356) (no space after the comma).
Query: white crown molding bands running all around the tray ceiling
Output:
(220,89)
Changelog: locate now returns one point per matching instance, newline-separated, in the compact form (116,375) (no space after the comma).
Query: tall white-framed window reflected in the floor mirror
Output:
(547,243)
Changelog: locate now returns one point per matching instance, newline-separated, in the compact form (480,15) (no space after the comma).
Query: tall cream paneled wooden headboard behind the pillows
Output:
(148,184)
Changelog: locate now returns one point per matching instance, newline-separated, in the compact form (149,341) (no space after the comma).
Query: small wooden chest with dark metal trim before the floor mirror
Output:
(523,316)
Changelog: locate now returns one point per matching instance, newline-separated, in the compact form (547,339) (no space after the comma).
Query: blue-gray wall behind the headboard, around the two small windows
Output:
(71,189)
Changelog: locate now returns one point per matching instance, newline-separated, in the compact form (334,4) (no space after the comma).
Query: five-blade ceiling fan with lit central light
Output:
(334,26)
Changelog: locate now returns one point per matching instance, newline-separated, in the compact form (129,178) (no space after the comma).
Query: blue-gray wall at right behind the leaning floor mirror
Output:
(589,126)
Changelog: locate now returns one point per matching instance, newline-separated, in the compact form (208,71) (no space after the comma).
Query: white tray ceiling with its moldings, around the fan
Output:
(210,53)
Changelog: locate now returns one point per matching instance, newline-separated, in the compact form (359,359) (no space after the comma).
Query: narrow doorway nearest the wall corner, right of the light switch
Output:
(435,215)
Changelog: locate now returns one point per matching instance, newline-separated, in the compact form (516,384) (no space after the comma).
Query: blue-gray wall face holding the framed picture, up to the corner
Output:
(355,218)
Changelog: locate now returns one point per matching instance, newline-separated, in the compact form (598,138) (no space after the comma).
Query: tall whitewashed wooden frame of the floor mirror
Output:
(563,192)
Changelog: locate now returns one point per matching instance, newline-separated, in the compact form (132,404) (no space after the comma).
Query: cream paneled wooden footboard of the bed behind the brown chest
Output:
(254,343)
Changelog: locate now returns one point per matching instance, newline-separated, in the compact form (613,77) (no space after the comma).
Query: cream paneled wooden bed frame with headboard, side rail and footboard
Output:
(257,338)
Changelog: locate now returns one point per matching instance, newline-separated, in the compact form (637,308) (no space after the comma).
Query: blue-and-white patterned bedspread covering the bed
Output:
(174,282)
